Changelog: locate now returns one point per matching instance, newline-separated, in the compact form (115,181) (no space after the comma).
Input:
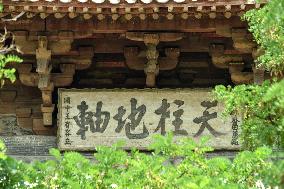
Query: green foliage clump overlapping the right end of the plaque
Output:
(262,111)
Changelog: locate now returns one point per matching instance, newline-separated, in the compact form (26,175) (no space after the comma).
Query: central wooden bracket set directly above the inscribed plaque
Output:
(149,61)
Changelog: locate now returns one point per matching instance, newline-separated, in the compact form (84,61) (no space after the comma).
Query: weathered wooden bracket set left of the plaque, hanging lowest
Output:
(45,80)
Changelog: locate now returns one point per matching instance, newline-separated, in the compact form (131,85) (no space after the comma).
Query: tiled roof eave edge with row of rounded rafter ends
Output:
(195,8)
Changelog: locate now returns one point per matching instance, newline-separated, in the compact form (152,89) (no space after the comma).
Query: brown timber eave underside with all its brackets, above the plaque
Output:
(191,46)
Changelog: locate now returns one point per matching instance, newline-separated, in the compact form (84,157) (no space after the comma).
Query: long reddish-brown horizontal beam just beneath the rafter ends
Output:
(78,28)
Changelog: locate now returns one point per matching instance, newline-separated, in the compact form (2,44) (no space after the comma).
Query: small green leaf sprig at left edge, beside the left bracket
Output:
(6,72)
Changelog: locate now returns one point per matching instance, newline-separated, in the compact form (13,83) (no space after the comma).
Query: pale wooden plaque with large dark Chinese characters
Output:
(92,117)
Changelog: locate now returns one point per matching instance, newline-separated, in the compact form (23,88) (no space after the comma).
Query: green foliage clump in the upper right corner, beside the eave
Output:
(267,27)
